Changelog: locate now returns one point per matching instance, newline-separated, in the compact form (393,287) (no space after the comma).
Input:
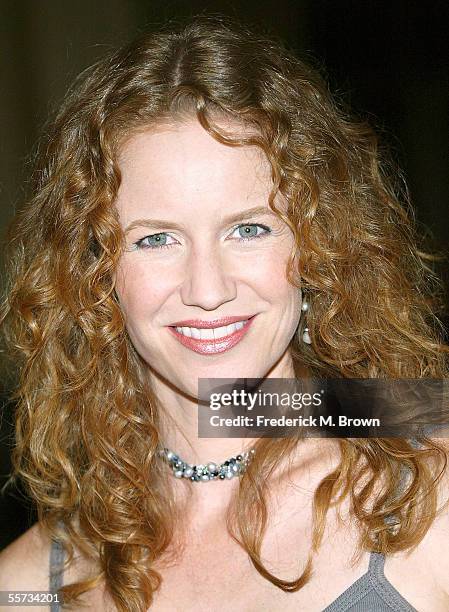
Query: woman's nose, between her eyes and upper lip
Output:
(207,281)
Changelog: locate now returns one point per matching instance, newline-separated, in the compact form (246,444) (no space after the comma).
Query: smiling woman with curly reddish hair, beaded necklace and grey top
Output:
(203,209)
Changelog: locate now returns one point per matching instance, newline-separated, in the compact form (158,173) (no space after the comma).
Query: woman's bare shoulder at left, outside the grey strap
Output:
(24,564)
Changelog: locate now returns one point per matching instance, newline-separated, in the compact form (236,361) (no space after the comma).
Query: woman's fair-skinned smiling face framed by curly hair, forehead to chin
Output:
(198,258)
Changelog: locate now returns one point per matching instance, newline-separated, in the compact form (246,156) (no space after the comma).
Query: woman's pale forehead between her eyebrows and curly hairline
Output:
(181,166)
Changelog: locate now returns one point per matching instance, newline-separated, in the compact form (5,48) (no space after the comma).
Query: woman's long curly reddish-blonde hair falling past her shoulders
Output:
(88,425)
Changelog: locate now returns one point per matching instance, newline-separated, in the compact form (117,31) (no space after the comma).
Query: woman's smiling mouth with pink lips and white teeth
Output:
(211,340)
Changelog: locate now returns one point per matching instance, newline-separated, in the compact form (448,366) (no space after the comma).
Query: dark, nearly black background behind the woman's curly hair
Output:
(387,59)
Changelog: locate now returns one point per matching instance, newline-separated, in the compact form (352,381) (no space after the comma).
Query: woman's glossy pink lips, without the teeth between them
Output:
(211,347)
